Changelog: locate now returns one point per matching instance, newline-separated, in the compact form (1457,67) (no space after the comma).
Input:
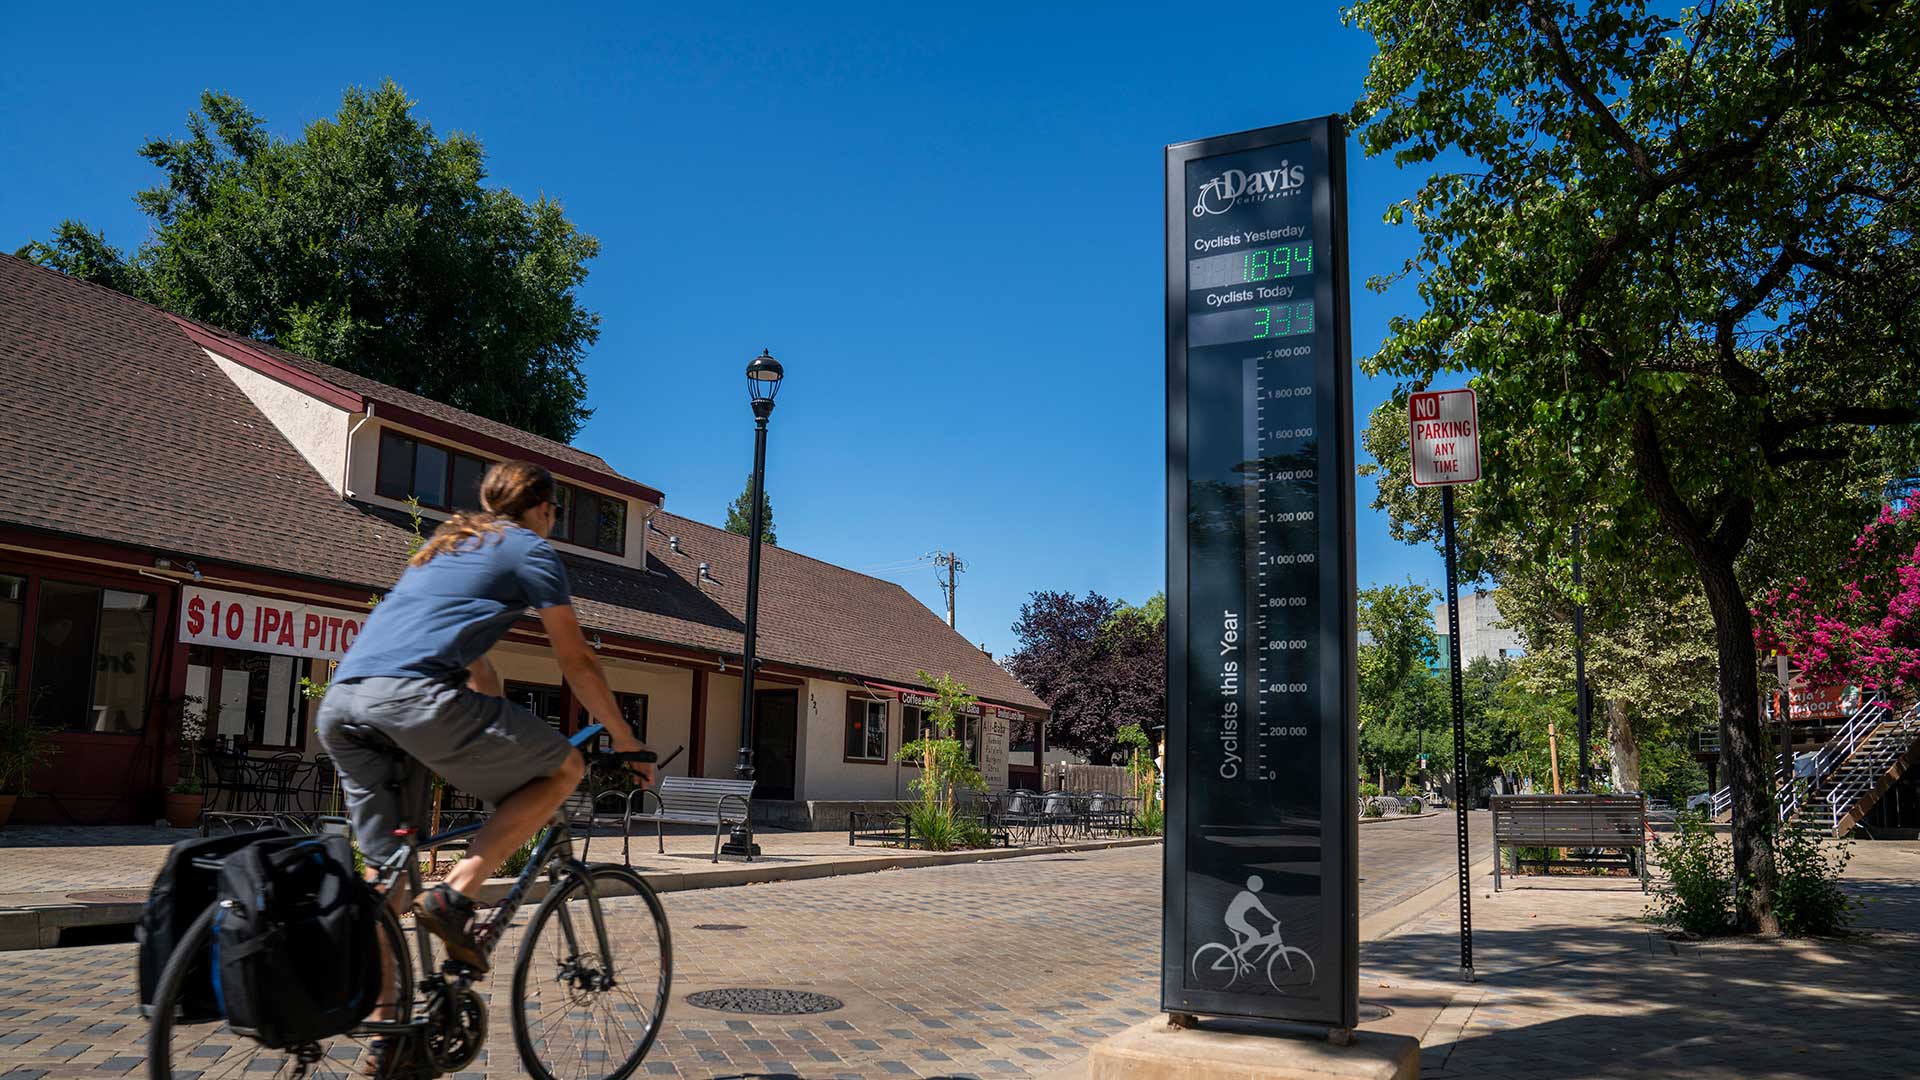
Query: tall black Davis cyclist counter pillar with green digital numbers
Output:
(1262,791)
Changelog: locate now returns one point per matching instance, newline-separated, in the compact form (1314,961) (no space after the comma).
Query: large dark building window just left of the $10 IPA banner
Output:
(91,658)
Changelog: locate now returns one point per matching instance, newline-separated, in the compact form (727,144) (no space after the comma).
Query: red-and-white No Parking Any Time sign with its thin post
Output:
(1445,443)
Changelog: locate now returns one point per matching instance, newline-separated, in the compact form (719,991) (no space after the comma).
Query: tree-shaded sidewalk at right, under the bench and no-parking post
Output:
(1573,983)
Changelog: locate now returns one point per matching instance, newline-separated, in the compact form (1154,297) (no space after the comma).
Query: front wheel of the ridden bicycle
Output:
(592,977)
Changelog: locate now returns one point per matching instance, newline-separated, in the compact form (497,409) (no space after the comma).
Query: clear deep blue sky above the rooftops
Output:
(946,222)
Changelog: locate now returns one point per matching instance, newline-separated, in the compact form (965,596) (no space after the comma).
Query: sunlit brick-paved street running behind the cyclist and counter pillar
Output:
(988,970)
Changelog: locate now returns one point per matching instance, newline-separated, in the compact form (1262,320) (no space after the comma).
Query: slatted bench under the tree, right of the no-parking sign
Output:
(1577,823)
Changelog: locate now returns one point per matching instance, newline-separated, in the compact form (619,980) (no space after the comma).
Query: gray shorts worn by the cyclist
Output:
(485,747)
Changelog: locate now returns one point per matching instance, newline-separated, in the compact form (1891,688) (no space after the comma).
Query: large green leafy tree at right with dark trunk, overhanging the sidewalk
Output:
(1679,243)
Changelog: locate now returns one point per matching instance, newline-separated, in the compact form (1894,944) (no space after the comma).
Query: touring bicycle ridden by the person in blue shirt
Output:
(443,1018)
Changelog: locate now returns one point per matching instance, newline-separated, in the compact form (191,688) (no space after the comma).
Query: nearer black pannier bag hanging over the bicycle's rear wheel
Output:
(297,941)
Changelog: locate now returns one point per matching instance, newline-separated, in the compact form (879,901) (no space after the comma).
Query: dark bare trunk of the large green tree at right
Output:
(1744,749)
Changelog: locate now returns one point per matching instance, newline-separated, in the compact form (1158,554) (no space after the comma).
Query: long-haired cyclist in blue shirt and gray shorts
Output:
(420,675)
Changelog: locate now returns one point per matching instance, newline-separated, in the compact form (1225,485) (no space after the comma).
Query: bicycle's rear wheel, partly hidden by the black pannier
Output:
(210,1050)
